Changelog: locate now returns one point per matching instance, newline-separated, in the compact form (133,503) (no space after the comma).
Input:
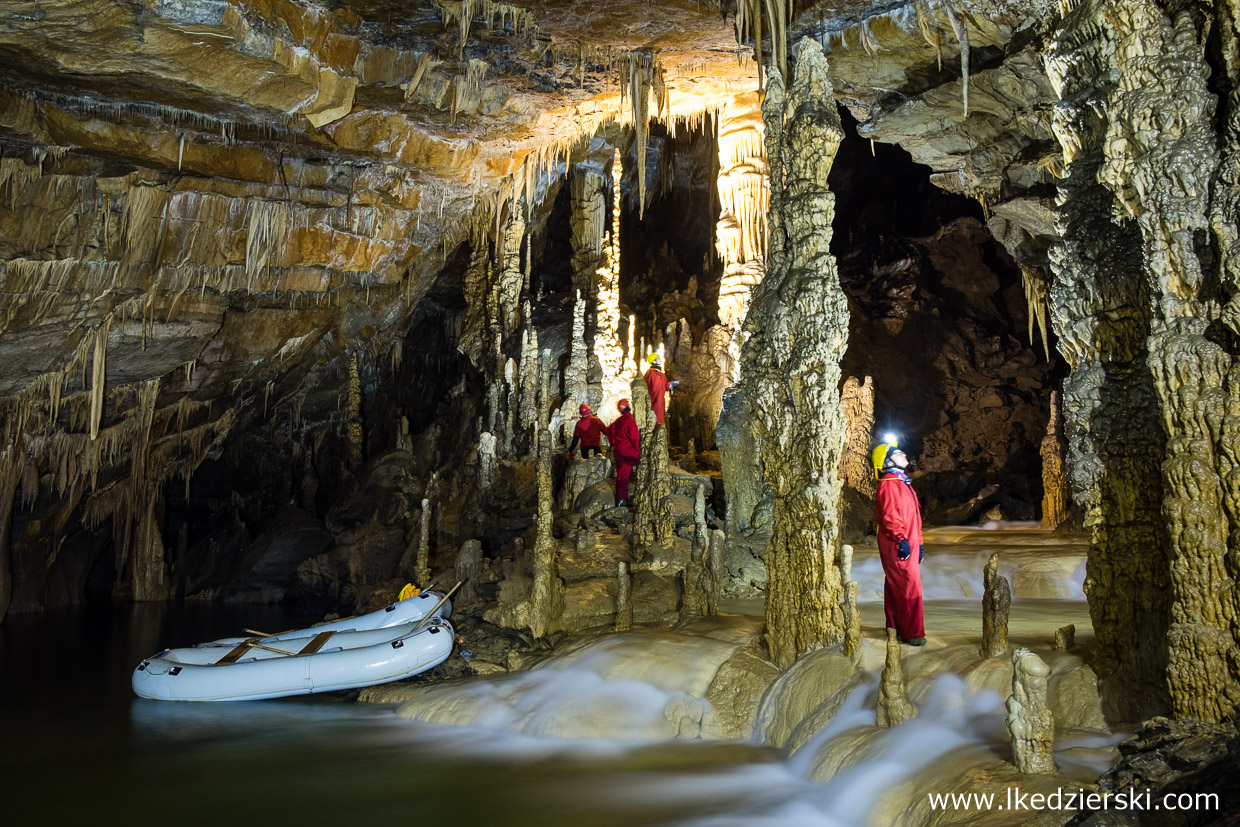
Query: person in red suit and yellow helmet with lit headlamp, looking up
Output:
(900,542)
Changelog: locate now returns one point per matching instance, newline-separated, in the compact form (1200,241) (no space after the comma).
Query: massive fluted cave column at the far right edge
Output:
(1148,406)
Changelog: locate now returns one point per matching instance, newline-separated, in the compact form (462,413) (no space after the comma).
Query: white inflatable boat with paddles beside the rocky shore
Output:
(343,655)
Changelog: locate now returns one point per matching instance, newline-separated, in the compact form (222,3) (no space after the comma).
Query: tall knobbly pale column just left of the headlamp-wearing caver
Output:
(790,366)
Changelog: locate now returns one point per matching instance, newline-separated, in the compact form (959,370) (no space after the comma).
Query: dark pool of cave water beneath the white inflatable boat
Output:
(80,748)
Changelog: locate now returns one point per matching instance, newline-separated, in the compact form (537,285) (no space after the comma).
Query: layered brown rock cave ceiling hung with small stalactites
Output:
(225,199)
